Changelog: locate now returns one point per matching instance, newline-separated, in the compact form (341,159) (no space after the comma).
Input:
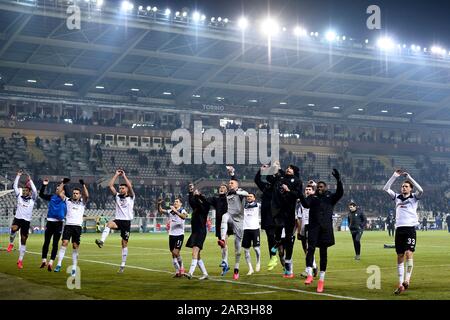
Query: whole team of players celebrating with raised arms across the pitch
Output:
(285,209)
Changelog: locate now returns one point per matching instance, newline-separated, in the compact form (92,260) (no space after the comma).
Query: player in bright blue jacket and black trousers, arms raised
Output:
(57,209)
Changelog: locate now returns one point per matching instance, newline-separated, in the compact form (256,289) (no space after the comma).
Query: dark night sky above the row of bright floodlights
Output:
(409,21)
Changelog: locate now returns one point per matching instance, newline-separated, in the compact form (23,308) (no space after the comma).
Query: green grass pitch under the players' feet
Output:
(149,271)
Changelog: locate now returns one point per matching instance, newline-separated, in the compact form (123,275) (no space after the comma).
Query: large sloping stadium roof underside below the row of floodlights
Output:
(169,63)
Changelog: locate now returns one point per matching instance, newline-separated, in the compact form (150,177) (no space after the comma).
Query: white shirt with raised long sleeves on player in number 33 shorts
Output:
(405,207)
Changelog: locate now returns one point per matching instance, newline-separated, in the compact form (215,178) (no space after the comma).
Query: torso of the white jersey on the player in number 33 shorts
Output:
(406,211)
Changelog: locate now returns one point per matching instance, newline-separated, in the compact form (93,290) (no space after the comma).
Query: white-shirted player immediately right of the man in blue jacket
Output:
(72,228)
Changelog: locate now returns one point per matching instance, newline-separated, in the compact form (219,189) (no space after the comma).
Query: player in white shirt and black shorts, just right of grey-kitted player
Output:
(251,237)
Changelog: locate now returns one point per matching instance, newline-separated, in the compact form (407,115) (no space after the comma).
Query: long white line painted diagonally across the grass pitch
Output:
(223,280)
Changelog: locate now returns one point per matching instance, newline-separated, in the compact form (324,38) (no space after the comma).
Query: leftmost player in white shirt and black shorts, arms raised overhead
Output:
(26,199)
